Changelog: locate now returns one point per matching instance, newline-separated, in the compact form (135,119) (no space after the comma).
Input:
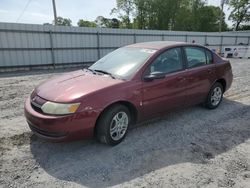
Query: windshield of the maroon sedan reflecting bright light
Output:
(124,62)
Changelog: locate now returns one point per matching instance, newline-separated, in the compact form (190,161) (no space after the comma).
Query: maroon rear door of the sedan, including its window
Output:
(201,73)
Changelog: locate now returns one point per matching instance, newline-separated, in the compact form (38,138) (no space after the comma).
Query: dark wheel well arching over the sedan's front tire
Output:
(132,109)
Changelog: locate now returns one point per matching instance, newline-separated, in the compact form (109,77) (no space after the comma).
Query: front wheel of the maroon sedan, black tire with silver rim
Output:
(113,125)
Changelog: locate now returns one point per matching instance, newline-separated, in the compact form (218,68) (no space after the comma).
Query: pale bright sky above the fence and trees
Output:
(41,11)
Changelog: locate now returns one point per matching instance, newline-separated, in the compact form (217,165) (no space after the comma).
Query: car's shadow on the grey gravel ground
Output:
(193,135)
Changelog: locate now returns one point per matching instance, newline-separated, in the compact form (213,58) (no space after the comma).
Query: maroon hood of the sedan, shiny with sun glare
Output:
(74,85)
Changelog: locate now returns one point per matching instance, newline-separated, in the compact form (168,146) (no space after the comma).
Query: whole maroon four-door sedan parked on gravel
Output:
(129,85)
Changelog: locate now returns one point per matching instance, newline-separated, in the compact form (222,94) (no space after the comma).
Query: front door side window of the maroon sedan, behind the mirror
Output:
(167,62)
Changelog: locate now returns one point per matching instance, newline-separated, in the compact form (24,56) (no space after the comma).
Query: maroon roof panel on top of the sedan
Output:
(158,45)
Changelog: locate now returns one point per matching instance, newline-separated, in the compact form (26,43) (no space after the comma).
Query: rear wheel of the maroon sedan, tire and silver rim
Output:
(215,96)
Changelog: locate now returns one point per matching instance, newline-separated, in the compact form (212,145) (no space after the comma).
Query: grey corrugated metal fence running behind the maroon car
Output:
(26,45)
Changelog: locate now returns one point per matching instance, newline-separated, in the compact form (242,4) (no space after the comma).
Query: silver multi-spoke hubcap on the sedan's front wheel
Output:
(118,126)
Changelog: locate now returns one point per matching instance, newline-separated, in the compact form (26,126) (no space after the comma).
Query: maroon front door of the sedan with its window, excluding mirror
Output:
(168,91)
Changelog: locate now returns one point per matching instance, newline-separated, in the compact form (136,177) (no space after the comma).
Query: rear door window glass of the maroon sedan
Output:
(195,56)
